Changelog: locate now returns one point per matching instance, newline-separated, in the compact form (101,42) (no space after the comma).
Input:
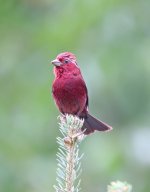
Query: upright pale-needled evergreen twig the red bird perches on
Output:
(68,158)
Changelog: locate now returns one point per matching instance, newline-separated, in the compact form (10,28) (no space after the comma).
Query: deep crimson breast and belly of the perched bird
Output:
(70,94)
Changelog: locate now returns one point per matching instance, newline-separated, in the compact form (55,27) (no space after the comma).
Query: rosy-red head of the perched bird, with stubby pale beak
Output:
(63,59)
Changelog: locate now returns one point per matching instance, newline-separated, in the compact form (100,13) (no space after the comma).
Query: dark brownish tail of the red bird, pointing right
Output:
(91,124)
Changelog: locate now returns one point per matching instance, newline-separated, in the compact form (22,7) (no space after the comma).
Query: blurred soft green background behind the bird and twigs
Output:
(111,40)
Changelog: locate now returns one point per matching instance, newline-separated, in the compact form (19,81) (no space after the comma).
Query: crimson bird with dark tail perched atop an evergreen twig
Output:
(70,92)
